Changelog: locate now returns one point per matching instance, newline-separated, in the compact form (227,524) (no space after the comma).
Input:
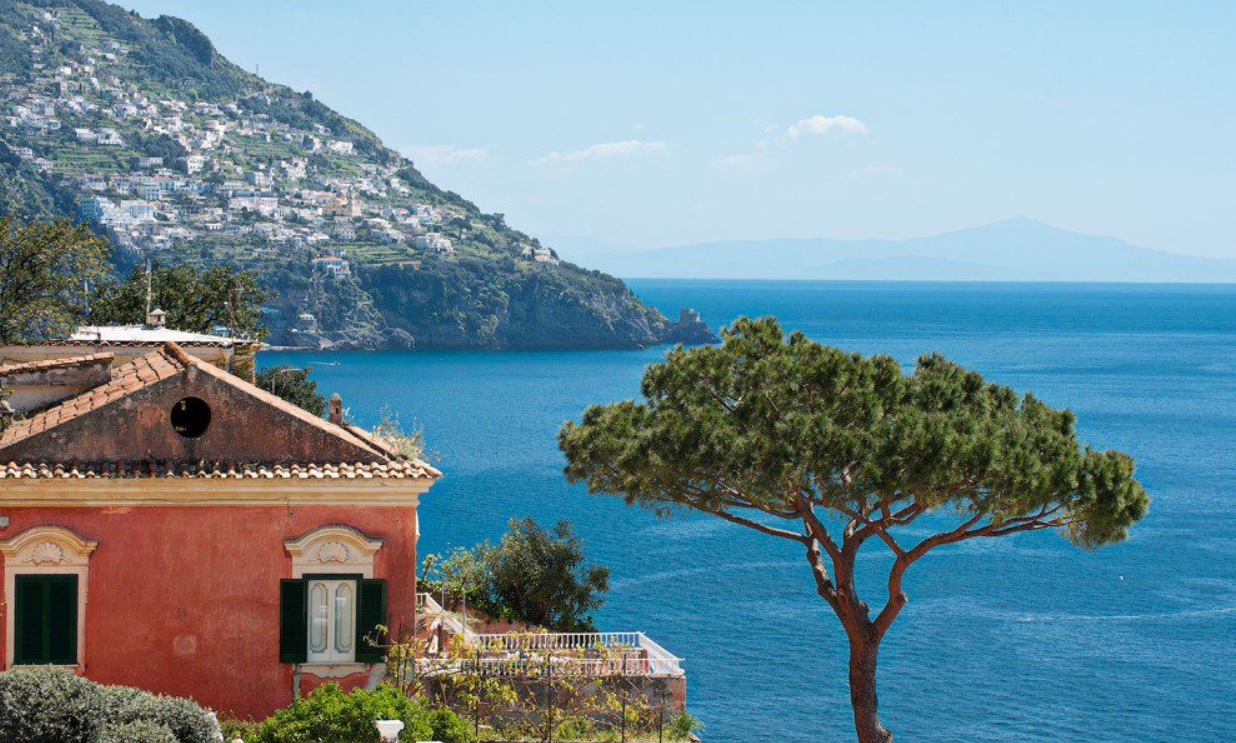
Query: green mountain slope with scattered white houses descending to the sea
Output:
(142,128)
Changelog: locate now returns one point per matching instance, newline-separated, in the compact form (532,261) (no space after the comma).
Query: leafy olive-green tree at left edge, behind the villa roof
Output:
(44,271)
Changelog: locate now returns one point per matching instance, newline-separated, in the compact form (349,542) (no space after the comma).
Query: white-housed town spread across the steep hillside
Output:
(166,174)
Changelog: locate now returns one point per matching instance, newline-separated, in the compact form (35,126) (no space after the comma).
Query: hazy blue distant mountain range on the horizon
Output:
(1012,250)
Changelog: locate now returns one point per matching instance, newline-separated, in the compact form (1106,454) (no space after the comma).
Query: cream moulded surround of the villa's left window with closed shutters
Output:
(45,551)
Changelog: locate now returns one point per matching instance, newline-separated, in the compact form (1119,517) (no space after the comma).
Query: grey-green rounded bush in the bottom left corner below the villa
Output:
(48,705)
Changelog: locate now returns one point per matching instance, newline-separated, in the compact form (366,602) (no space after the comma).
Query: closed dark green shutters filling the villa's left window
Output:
(46,620)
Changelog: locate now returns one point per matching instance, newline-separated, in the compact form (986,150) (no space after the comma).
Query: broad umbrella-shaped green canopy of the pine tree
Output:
(772,425)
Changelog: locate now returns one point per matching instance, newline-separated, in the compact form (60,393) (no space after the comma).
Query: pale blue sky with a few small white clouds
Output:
(653,123)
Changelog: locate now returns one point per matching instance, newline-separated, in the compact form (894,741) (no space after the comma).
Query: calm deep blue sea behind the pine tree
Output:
(1024,640)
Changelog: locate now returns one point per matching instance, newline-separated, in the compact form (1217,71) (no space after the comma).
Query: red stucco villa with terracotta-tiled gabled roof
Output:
(170,526)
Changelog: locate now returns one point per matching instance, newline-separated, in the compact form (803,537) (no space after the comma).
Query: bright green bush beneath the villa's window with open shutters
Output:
(328,715)
